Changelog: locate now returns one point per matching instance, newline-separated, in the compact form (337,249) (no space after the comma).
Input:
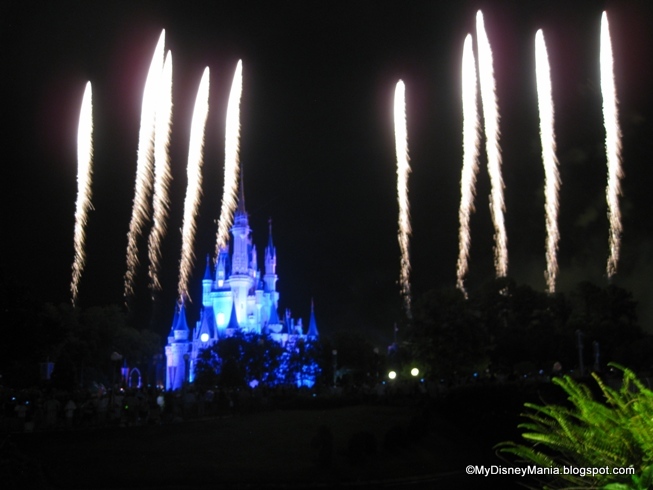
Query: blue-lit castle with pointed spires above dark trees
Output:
(235,297)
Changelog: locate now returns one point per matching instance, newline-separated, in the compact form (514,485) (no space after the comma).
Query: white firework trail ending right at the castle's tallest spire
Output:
(231,160)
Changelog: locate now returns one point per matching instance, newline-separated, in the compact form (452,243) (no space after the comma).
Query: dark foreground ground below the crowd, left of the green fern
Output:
(417,446)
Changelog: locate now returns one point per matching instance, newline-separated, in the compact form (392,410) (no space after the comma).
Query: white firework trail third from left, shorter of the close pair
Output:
(161,201)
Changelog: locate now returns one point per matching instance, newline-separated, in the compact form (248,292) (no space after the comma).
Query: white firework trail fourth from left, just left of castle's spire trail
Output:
(194,186)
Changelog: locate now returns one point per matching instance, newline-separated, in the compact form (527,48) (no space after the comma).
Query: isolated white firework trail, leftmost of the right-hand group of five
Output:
(403,169)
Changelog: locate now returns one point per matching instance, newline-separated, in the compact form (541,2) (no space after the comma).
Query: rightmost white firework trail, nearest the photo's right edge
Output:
(612,145)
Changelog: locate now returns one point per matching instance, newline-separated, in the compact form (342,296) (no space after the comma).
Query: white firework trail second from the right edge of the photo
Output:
(551,175)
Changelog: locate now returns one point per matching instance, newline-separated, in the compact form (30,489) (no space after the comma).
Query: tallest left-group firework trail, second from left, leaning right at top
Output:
(143,187)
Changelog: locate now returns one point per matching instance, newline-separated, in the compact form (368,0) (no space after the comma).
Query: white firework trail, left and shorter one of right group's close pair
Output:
(471,142)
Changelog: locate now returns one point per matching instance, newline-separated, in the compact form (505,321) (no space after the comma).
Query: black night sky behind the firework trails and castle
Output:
(317,145)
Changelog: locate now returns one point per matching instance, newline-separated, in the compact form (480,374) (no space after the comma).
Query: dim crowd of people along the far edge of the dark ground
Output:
(50,409)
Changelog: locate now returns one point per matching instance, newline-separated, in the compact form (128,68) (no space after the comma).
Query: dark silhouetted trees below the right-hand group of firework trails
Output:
(503,326)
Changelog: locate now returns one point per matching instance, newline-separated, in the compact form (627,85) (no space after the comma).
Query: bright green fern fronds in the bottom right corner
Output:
(615,432)
